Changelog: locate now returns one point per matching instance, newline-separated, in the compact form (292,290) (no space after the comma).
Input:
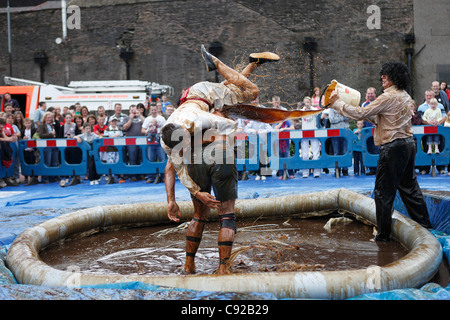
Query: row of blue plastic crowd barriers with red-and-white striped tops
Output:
(253,152)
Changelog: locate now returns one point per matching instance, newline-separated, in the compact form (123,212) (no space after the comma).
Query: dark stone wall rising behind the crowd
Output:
(166,37)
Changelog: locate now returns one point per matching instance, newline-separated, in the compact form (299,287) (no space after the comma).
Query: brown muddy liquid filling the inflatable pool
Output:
(260,246)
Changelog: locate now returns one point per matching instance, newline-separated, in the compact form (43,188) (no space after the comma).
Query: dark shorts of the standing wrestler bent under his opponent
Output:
(216,169)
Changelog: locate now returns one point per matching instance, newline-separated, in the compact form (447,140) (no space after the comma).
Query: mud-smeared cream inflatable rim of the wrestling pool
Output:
(413,270)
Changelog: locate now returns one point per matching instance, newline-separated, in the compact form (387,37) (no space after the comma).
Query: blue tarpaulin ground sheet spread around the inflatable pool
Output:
(24,207)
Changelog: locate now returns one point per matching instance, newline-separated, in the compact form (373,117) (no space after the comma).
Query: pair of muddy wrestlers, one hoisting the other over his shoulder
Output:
(214,166)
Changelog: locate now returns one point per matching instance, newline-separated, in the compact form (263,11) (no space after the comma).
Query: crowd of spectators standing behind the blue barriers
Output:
(78,122)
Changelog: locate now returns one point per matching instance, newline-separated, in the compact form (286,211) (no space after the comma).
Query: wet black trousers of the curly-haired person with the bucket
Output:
(395,171)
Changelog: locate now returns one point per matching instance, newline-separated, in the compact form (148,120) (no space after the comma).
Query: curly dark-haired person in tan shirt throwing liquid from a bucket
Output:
(394,134)
